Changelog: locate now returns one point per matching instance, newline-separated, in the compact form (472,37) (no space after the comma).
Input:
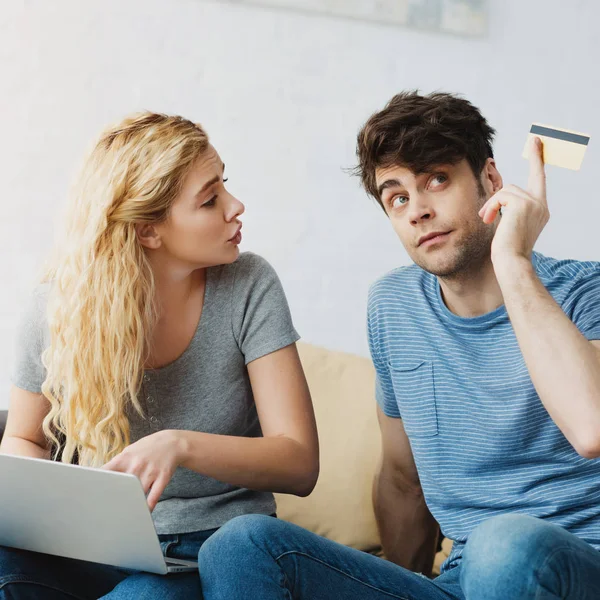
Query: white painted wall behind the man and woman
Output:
(282,95)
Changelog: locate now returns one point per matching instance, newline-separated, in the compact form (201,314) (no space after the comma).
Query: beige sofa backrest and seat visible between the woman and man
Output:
(340,508)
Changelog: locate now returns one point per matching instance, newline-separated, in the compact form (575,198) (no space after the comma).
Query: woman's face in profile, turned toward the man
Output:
(203,228)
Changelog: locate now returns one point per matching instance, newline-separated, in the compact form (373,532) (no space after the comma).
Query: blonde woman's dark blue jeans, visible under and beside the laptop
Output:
(30,576)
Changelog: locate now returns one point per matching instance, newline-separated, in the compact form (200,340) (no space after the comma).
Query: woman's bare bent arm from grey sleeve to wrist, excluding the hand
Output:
(286,459)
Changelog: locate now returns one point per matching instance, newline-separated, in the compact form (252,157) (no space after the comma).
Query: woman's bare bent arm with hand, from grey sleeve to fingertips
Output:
(285,460)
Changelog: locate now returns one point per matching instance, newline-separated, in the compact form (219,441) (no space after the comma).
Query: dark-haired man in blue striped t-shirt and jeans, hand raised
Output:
(488,389)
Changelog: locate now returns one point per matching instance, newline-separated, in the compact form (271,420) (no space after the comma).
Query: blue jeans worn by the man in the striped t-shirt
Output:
(510,557)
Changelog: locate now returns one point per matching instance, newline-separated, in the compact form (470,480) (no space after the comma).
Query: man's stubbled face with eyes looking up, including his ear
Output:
(435,214)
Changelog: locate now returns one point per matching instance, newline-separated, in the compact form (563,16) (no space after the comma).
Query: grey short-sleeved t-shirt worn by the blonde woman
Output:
(245,316)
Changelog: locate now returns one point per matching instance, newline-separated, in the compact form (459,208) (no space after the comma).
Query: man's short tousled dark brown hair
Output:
(420,132)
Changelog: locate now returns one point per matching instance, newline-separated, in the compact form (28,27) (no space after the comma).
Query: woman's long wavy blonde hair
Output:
(101,308)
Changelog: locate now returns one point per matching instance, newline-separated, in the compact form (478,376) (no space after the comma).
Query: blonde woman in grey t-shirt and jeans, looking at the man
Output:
(156,348)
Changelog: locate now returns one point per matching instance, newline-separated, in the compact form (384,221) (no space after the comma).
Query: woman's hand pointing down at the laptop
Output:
(153,460)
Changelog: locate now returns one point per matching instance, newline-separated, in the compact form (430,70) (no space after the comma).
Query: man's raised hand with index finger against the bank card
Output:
(524,213)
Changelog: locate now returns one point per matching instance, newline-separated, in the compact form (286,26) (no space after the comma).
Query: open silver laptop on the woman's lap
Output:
(79,512)
